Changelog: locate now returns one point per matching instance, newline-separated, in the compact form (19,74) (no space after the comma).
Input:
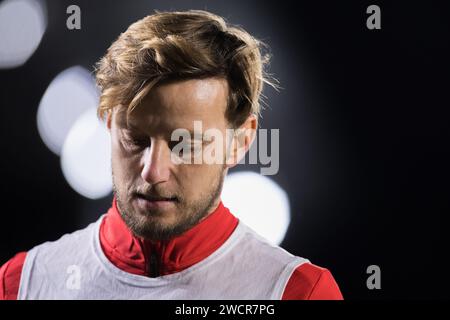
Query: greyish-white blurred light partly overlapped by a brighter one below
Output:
(71,93)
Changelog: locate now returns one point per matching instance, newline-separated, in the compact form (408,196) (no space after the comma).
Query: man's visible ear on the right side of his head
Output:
(241,141)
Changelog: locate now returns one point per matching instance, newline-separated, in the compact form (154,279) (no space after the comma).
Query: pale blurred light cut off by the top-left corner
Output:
(22,25)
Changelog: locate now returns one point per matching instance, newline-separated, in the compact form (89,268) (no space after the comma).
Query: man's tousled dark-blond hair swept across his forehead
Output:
(168,46)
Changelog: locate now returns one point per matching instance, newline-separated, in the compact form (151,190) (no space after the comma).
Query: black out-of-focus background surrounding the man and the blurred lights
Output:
(364,129)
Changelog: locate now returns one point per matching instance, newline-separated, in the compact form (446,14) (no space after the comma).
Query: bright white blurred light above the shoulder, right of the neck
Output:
(259,202)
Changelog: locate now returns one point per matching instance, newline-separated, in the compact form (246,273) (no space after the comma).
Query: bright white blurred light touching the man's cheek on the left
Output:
(86,157)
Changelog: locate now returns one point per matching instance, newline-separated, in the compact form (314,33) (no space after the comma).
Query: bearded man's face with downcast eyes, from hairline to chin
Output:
(158,198)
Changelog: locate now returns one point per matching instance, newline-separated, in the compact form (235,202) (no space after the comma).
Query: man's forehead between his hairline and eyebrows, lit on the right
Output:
(178,104)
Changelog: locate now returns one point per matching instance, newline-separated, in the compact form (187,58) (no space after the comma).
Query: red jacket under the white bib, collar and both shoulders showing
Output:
(137,256)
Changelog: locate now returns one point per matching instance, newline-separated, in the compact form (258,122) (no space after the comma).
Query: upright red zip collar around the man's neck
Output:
(138,256)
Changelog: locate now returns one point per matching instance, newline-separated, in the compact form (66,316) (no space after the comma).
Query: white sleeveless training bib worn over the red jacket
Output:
(246,266)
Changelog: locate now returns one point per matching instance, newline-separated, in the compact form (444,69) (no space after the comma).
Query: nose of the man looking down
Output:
(156,160)
